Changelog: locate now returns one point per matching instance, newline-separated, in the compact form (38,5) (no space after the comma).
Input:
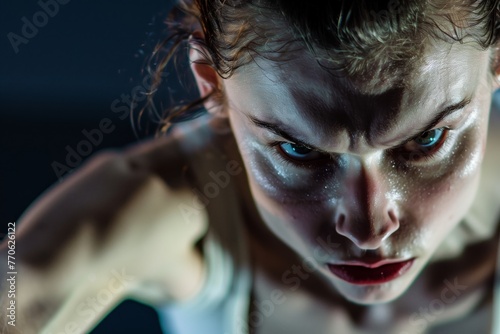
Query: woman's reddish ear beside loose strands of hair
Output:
(207,78)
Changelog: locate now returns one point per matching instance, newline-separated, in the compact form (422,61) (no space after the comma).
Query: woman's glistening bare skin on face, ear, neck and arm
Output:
(367,201)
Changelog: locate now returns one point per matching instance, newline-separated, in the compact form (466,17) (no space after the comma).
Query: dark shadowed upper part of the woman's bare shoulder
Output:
(97,192)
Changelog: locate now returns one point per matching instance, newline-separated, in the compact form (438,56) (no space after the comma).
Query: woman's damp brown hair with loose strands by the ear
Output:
(379,38)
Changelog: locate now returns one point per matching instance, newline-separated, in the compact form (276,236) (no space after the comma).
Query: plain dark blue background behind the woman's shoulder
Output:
(61,82)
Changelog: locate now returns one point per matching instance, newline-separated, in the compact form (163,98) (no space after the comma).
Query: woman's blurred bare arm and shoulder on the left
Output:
(111,230)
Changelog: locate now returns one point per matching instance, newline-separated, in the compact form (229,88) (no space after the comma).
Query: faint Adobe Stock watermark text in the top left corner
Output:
(30,28)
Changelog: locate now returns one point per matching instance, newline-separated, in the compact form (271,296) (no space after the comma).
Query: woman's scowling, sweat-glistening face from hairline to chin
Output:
(366,181)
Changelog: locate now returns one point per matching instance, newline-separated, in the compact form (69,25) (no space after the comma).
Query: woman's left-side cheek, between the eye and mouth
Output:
(287,202)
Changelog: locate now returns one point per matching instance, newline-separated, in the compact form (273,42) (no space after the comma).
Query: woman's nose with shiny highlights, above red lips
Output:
(366,214)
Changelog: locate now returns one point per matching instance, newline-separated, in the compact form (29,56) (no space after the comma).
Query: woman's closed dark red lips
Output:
(367,274)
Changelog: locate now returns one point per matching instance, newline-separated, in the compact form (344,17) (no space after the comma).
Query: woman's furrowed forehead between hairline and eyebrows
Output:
(300,93)
